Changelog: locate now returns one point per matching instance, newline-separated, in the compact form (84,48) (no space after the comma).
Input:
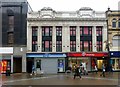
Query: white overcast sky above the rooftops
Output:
(74,5)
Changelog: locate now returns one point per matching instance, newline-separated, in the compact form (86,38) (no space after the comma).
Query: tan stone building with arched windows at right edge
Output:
(113,17)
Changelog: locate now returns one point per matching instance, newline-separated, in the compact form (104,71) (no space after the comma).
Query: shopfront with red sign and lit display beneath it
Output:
(90,58)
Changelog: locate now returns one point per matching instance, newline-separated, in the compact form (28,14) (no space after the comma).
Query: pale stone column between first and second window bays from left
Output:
(39,39)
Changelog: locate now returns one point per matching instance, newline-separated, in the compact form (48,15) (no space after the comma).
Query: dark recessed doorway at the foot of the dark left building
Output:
(17,64)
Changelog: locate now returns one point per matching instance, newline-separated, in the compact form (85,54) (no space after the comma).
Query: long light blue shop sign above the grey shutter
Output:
(46,55)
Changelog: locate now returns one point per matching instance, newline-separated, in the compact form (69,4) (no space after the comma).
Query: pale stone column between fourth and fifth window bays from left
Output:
(77,39)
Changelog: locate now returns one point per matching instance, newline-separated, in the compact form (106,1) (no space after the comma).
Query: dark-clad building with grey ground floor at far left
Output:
(13,14)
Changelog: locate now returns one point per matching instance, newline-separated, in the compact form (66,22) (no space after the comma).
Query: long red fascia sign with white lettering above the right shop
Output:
(84,54)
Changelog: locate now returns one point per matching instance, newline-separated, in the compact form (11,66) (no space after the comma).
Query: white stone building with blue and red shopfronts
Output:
(58,39)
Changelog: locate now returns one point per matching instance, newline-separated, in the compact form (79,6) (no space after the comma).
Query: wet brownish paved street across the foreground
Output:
(60,79)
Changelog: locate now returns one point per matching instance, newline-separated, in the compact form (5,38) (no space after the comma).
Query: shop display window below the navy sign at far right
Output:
(115,63)
